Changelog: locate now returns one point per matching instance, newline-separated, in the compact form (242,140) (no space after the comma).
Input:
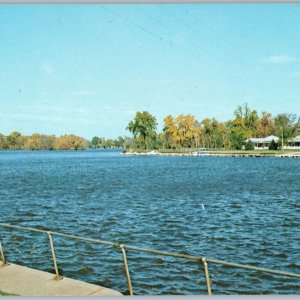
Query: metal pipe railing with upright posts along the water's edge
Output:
(122,247)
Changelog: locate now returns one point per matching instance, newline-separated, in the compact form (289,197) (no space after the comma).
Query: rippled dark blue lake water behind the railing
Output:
(251,216)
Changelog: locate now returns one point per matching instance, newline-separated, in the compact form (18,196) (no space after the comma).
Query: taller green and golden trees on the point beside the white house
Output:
(185,131)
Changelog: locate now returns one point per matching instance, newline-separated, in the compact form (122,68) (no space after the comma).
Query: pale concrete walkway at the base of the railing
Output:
(23,281)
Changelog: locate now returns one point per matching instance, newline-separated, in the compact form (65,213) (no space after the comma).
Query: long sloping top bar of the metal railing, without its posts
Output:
(134,248)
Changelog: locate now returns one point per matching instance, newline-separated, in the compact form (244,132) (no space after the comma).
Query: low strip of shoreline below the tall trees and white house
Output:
(224,153)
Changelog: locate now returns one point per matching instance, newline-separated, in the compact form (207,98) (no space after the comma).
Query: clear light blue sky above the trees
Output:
(86,69)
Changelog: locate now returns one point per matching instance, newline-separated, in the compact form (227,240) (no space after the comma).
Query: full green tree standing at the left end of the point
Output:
(143,128)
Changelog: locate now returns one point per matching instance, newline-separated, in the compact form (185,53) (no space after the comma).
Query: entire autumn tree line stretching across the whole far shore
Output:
(183,131)
